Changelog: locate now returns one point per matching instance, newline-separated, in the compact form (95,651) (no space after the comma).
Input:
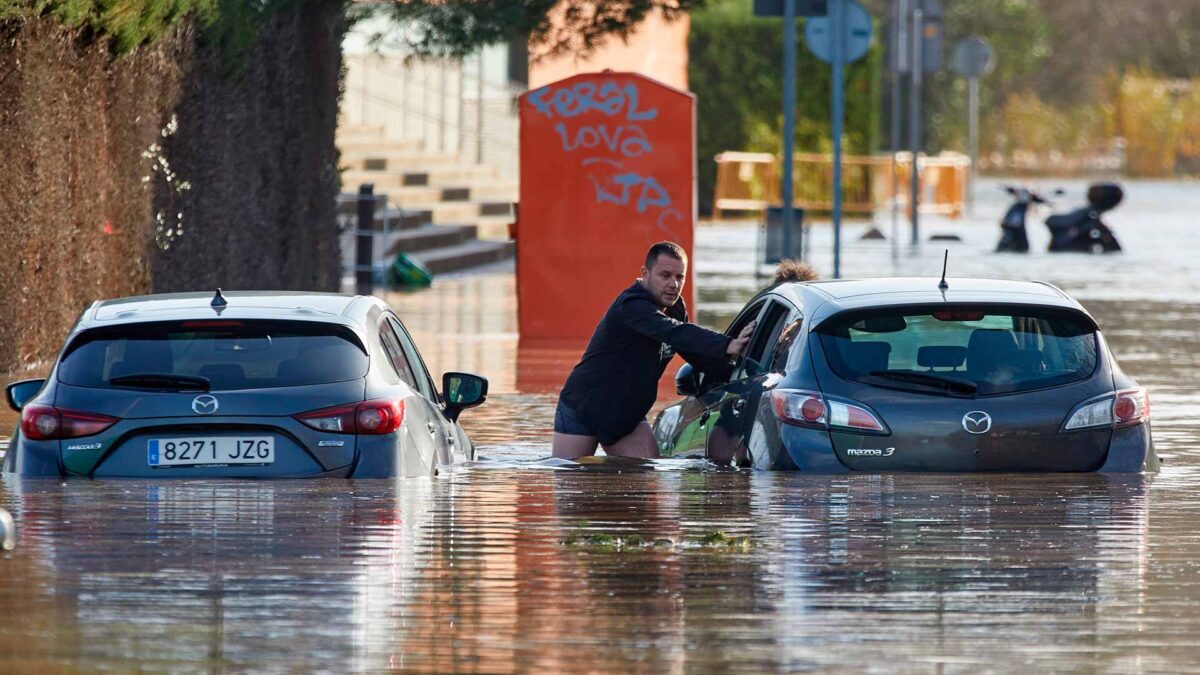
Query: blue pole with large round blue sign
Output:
(842,38)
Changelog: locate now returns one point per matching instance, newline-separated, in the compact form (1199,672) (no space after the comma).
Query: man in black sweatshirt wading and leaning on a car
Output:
(608,396)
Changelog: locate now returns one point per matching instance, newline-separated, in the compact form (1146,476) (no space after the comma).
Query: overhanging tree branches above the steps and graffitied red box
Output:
(457,28)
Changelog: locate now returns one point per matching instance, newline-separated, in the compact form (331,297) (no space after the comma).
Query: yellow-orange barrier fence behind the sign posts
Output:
(749,182)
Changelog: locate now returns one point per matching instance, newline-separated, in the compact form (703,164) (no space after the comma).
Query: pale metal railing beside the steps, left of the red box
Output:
(449,106)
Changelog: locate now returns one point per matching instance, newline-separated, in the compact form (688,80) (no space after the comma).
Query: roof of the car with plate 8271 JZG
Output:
(331,308)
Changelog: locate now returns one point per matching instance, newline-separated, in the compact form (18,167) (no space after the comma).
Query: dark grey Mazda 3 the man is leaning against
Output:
(904,375)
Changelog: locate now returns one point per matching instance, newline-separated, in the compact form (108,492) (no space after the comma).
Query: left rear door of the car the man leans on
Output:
(734,405)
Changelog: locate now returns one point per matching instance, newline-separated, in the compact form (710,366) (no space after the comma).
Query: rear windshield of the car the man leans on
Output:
(962,350)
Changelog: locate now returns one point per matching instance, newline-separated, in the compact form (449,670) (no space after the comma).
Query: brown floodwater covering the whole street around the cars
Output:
(515,564)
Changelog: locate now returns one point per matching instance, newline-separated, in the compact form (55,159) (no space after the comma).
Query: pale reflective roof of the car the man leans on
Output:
(823,300)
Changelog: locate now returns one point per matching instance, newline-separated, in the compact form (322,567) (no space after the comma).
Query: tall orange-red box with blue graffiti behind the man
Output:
(608,169)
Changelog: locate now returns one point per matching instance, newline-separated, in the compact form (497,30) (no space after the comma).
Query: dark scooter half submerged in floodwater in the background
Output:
(1079,231)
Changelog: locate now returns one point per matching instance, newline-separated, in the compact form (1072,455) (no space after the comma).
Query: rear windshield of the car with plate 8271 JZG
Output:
(230,355)
